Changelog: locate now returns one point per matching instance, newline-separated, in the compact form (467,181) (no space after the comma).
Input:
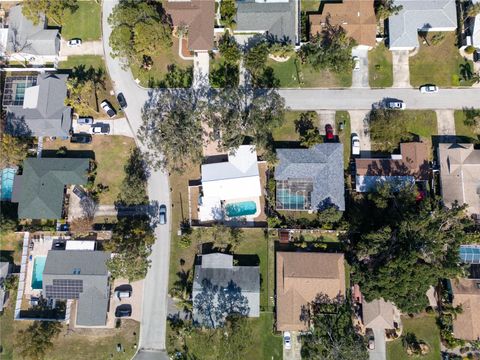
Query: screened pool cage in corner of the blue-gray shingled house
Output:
(286,189)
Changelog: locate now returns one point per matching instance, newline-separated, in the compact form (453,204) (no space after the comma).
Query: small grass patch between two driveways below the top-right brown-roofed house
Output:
(380,69)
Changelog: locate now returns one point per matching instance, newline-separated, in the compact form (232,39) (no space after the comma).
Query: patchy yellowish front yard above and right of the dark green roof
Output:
(111,153)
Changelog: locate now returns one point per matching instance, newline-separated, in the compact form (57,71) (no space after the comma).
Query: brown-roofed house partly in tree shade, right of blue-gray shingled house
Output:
(410,166)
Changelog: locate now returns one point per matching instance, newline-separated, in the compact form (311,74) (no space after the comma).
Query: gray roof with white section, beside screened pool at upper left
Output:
(43,112)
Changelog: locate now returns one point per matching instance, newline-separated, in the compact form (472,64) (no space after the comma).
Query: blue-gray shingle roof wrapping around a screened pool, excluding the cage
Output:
(323,164)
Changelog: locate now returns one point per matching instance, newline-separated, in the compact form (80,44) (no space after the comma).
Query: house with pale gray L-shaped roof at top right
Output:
(419,15)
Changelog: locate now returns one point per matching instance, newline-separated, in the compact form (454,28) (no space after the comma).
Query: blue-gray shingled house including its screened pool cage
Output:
(310,179)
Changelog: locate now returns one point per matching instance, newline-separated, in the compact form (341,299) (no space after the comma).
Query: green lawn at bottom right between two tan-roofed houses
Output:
(425,328)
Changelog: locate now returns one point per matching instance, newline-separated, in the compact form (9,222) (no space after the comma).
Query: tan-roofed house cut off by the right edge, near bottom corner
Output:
(466,292)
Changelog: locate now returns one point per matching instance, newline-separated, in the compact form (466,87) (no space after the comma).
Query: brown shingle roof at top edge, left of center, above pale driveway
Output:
(199,16)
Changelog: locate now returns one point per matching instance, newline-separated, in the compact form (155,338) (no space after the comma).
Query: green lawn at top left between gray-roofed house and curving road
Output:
(85,23)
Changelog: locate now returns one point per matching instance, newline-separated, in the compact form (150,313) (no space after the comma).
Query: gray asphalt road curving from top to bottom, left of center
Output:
(153,325)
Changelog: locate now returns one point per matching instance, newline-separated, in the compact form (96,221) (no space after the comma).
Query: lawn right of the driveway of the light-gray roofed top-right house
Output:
(438,64)
